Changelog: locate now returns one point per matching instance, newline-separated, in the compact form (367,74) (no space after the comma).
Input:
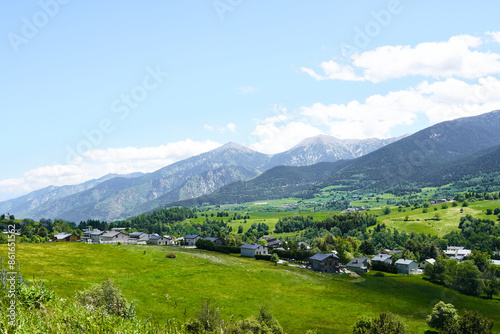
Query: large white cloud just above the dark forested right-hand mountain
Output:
(378,114)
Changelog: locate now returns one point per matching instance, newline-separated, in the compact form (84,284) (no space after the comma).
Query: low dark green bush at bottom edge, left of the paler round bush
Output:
(386,323)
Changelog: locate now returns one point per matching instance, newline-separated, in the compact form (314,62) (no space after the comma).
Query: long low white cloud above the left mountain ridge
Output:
(98,162)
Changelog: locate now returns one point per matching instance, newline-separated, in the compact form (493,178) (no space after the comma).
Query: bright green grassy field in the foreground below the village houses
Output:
(174,288)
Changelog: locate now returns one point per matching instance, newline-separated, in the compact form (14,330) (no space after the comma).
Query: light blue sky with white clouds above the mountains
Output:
(90,88)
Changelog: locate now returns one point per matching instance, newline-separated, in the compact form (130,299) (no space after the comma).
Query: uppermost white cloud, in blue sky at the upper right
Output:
(456,57)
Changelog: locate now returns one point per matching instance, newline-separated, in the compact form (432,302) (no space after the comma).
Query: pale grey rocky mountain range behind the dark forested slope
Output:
(121,196)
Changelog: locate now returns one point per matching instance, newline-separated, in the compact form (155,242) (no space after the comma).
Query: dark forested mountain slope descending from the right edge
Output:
(437,155)
